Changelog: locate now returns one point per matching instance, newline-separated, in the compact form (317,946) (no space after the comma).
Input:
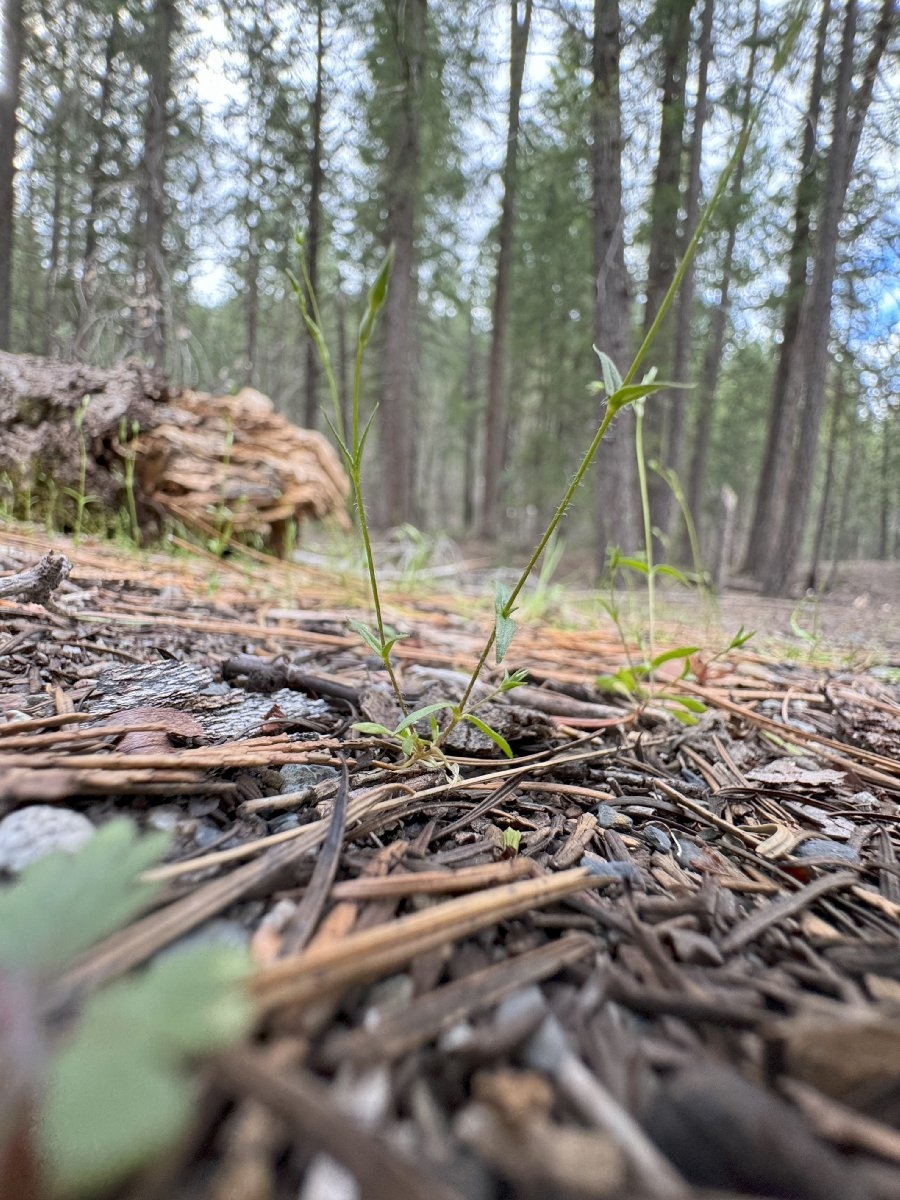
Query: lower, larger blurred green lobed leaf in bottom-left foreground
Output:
(118,1093)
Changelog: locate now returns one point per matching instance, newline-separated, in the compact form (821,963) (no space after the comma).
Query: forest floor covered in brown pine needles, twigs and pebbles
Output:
(640,959)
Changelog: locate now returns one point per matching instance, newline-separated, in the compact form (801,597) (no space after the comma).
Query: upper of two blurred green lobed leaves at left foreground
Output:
(65,903)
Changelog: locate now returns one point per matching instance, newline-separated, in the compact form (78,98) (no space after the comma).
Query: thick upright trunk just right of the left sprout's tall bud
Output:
(409,21)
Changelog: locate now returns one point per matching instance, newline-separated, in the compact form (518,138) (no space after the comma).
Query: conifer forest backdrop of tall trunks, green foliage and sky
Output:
(539,169)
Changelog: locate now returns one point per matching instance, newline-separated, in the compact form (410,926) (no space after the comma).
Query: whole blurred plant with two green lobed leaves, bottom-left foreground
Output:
(94,1088)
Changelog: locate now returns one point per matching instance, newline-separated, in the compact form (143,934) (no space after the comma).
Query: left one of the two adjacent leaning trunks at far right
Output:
(783,411)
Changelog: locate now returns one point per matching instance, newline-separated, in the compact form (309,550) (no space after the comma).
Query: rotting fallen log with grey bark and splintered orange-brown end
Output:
(221,466)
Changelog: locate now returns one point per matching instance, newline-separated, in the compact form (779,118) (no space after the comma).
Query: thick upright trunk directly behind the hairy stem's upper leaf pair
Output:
(617,473)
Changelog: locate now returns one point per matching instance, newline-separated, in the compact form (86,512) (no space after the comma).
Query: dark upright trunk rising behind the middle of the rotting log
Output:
(157,151)
